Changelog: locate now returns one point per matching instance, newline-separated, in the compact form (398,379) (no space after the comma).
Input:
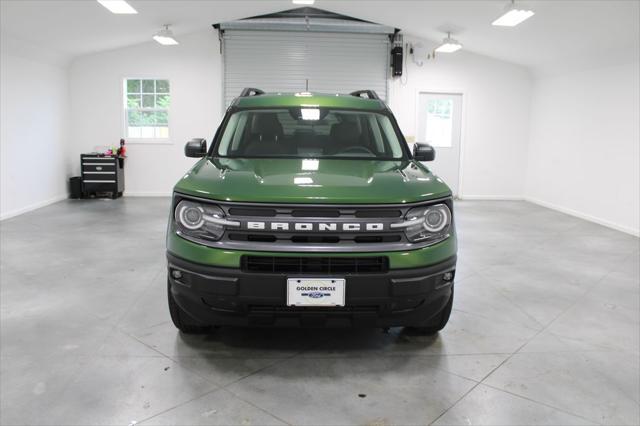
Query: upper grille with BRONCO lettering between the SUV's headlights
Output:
(273,228)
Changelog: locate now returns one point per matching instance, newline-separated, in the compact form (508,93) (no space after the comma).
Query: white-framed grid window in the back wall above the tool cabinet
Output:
(146,104)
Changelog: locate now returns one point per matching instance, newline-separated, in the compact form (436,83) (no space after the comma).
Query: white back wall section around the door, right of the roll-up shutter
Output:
(495,123)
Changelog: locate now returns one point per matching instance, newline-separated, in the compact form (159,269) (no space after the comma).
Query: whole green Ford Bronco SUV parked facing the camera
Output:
(310,210)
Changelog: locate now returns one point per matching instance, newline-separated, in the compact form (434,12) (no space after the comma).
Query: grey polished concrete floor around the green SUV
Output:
(545,330)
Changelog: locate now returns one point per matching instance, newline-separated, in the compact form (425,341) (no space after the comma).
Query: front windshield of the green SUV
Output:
(310,132)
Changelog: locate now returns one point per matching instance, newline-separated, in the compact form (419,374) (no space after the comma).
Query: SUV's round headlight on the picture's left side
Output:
(200,221)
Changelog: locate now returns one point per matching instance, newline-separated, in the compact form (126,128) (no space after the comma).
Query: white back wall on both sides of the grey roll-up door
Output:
(496,123)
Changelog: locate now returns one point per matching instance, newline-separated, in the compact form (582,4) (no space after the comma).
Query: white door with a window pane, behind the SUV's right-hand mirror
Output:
(440,125)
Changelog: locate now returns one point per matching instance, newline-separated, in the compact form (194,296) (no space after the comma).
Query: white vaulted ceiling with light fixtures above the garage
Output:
(563,34)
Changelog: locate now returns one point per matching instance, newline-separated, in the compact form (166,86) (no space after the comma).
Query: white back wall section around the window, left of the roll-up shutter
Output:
(193,68)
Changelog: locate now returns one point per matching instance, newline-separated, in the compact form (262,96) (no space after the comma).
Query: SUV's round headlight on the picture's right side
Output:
(429,223)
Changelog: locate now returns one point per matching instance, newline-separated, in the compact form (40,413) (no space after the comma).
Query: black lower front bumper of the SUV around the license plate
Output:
(230,296)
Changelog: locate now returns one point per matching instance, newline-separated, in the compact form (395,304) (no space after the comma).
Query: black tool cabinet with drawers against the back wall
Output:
(102,174)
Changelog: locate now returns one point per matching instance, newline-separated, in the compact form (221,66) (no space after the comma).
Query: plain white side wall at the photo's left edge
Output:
(34,112)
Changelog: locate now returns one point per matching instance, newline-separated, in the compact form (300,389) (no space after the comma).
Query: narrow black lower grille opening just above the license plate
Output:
(315,265)
